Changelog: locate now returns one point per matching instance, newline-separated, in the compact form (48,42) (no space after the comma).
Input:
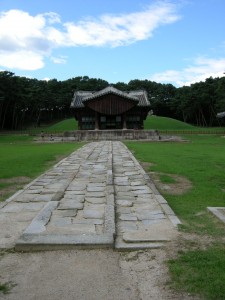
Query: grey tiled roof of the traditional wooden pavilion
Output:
(82,96)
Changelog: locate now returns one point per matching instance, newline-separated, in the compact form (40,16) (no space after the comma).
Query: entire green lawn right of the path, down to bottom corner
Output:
(202,161)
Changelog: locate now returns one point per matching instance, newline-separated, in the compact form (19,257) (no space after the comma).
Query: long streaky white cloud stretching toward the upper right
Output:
(124,29)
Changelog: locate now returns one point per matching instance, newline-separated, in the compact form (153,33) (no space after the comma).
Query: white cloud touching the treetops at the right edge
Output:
(201,69)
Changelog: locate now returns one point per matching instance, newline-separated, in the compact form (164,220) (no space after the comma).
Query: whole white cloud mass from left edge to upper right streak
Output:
(25,40)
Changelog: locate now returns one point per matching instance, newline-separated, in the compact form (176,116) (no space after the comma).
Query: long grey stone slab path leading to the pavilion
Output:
(99,196)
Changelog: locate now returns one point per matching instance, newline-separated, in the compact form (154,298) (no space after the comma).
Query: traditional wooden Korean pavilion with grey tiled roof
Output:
(110,108)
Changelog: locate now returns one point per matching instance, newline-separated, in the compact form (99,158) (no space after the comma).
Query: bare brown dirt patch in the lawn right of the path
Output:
(179,187)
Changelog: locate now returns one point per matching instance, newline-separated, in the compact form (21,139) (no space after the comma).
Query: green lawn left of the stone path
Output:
(21,159)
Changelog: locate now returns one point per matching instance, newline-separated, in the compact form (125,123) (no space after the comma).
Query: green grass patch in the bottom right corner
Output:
(202,271)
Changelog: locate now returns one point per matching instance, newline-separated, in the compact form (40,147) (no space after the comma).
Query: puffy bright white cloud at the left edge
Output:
(23,42)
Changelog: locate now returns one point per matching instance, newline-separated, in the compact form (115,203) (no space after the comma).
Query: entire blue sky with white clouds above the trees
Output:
(173,41)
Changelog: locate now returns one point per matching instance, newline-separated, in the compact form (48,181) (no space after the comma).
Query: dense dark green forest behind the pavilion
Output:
(30,102)
